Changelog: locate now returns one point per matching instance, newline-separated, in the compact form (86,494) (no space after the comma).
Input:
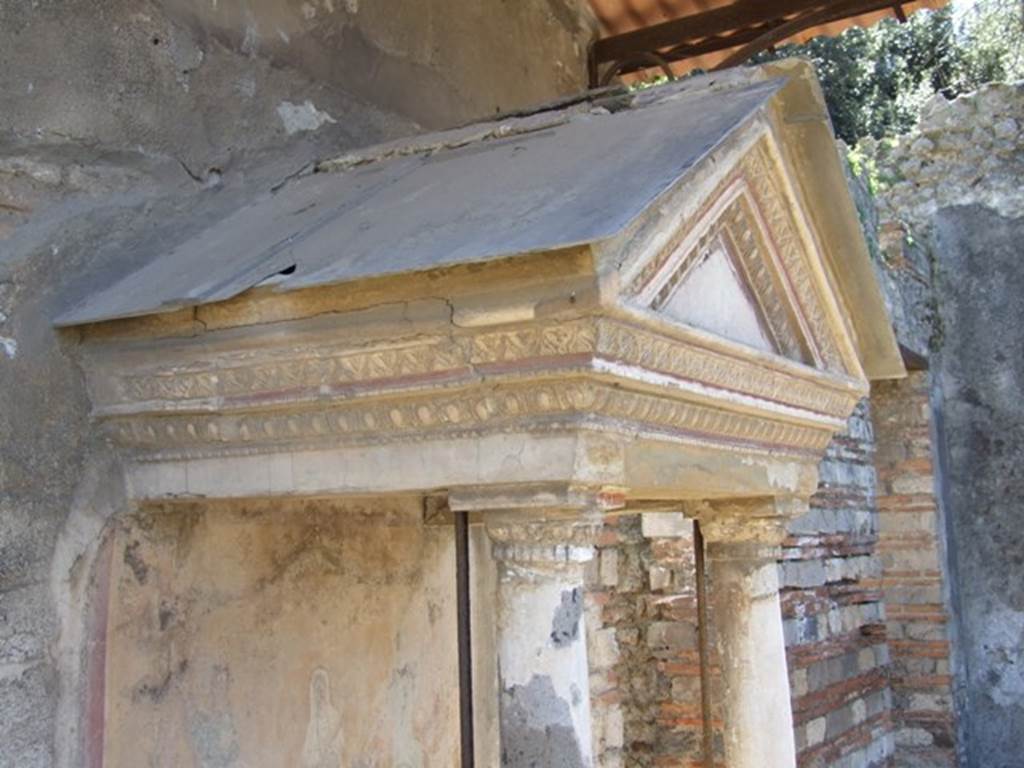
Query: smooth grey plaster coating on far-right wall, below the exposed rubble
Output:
(980,376)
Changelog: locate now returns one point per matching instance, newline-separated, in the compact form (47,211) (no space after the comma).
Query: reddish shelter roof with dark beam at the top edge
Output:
(678,36)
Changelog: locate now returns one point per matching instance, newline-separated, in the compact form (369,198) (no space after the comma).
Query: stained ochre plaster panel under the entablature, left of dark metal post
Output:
(269,634)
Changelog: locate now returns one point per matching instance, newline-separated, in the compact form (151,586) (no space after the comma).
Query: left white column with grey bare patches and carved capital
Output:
(544,709)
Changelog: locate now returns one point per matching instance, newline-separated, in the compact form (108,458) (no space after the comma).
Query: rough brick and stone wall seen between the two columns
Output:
(646,679)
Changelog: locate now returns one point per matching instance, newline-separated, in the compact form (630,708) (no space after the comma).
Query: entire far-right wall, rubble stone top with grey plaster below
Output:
(957,186)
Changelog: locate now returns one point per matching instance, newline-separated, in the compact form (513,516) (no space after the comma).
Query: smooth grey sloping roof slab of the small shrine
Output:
(544,182)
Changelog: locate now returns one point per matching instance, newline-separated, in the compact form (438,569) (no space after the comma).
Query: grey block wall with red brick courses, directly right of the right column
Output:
(834,616)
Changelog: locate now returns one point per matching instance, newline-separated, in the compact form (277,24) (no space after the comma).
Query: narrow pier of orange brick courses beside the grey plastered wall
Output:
(912,577)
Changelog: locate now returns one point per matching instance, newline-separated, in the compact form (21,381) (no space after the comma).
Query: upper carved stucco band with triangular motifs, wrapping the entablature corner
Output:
(281,376)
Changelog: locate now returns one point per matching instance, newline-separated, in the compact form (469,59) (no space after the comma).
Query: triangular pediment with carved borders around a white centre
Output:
(745,268)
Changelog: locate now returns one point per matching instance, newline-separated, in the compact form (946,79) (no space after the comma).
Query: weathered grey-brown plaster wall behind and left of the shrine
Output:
(127,125)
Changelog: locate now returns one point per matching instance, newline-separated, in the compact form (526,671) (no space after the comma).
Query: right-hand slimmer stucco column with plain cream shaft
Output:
(743,548)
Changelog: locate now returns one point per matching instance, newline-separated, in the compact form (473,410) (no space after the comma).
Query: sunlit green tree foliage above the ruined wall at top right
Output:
(877,79)
